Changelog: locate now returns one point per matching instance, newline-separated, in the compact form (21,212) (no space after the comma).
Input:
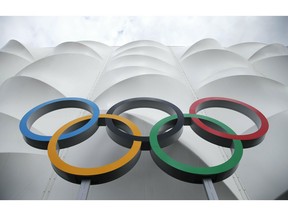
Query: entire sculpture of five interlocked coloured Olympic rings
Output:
(127,134)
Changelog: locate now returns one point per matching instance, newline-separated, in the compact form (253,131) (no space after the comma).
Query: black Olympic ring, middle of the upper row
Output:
(165,138)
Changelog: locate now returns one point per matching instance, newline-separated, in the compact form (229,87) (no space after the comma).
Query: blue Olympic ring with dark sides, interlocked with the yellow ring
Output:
(40,141)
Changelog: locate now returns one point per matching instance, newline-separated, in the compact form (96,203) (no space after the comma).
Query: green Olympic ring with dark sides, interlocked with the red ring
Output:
(187,172)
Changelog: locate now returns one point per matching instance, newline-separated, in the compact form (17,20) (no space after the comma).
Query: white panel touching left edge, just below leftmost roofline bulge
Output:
(10,65)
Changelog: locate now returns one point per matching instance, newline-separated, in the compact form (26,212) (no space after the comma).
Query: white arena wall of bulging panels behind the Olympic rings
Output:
(254,73)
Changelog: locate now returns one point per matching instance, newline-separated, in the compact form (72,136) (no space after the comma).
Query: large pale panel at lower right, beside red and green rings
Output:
(265,176)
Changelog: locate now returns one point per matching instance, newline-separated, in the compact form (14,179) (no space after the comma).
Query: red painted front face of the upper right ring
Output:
(262,129)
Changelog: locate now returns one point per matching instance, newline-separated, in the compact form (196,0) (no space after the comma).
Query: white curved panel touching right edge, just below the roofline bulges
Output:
(274,68)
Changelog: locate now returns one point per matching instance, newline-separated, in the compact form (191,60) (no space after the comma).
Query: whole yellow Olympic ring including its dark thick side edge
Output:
(101,174)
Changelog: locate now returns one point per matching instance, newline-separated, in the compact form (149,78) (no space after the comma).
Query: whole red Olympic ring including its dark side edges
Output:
(248,140)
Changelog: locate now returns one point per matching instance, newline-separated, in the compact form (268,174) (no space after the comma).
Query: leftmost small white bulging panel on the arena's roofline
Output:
(16,48)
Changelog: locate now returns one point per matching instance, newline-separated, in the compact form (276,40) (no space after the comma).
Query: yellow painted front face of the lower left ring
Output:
(78,171)
